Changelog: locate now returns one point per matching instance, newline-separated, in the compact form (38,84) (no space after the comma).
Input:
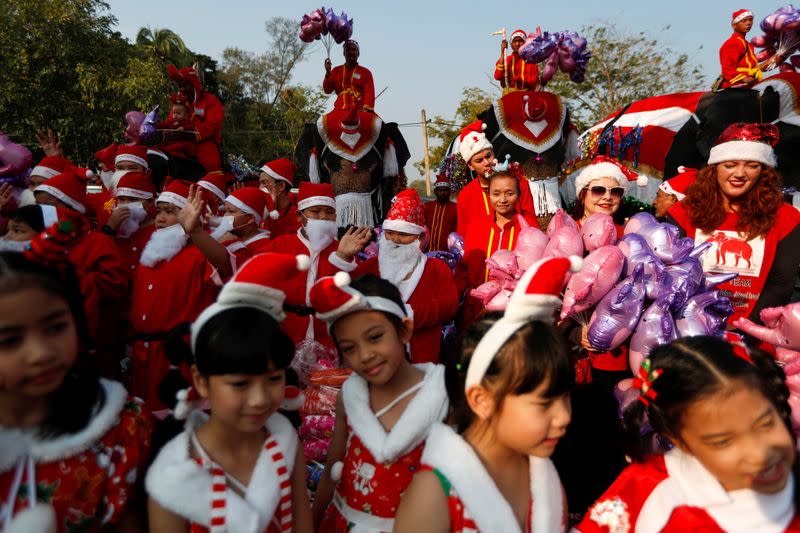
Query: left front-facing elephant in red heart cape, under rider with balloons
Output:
(361,156)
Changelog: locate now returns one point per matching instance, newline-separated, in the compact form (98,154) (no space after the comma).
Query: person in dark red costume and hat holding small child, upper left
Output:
(208,116)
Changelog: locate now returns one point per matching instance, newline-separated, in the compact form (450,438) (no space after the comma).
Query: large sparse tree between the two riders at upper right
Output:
(624,68)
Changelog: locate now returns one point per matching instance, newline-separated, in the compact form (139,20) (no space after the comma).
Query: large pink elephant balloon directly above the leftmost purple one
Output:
(600,272)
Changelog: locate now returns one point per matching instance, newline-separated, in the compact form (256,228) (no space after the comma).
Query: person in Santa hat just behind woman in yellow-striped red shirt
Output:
(473,200)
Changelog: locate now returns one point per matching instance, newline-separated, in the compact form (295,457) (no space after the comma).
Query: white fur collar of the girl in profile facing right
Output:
(446,451)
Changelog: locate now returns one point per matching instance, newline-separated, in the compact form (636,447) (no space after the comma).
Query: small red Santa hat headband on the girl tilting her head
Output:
(333,297)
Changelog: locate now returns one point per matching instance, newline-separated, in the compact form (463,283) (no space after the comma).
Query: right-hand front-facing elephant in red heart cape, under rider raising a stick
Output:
(535,130)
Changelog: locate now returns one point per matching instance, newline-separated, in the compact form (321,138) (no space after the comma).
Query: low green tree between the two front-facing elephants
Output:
(441,131)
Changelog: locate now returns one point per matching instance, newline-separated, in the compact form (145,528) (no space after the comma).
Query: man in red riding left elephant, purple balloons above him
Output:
(352,83)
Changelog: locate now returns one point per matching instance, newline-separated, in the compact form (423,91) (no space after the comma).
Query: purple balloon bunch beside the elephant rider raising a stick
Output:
(565,50)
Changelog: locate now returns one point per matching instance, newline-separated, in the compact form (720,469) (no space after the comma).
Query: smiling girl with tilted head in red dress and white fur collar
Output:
(384,411)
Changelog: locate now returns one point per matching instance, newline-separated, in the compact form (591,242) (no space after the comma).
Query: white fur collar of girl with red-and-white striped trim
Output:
(183,487)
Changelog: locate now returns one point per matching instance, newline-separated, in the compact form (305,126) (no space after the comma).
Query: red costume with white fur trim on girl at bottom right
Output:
(674,492)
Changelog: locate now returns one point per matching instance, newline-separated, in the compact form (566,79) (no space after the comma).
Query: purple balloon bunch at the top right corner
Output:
(781,38)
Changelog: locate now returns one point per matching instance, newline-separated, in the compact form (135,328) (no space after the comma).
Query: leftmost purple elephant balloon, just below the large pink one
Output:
(618,312)
